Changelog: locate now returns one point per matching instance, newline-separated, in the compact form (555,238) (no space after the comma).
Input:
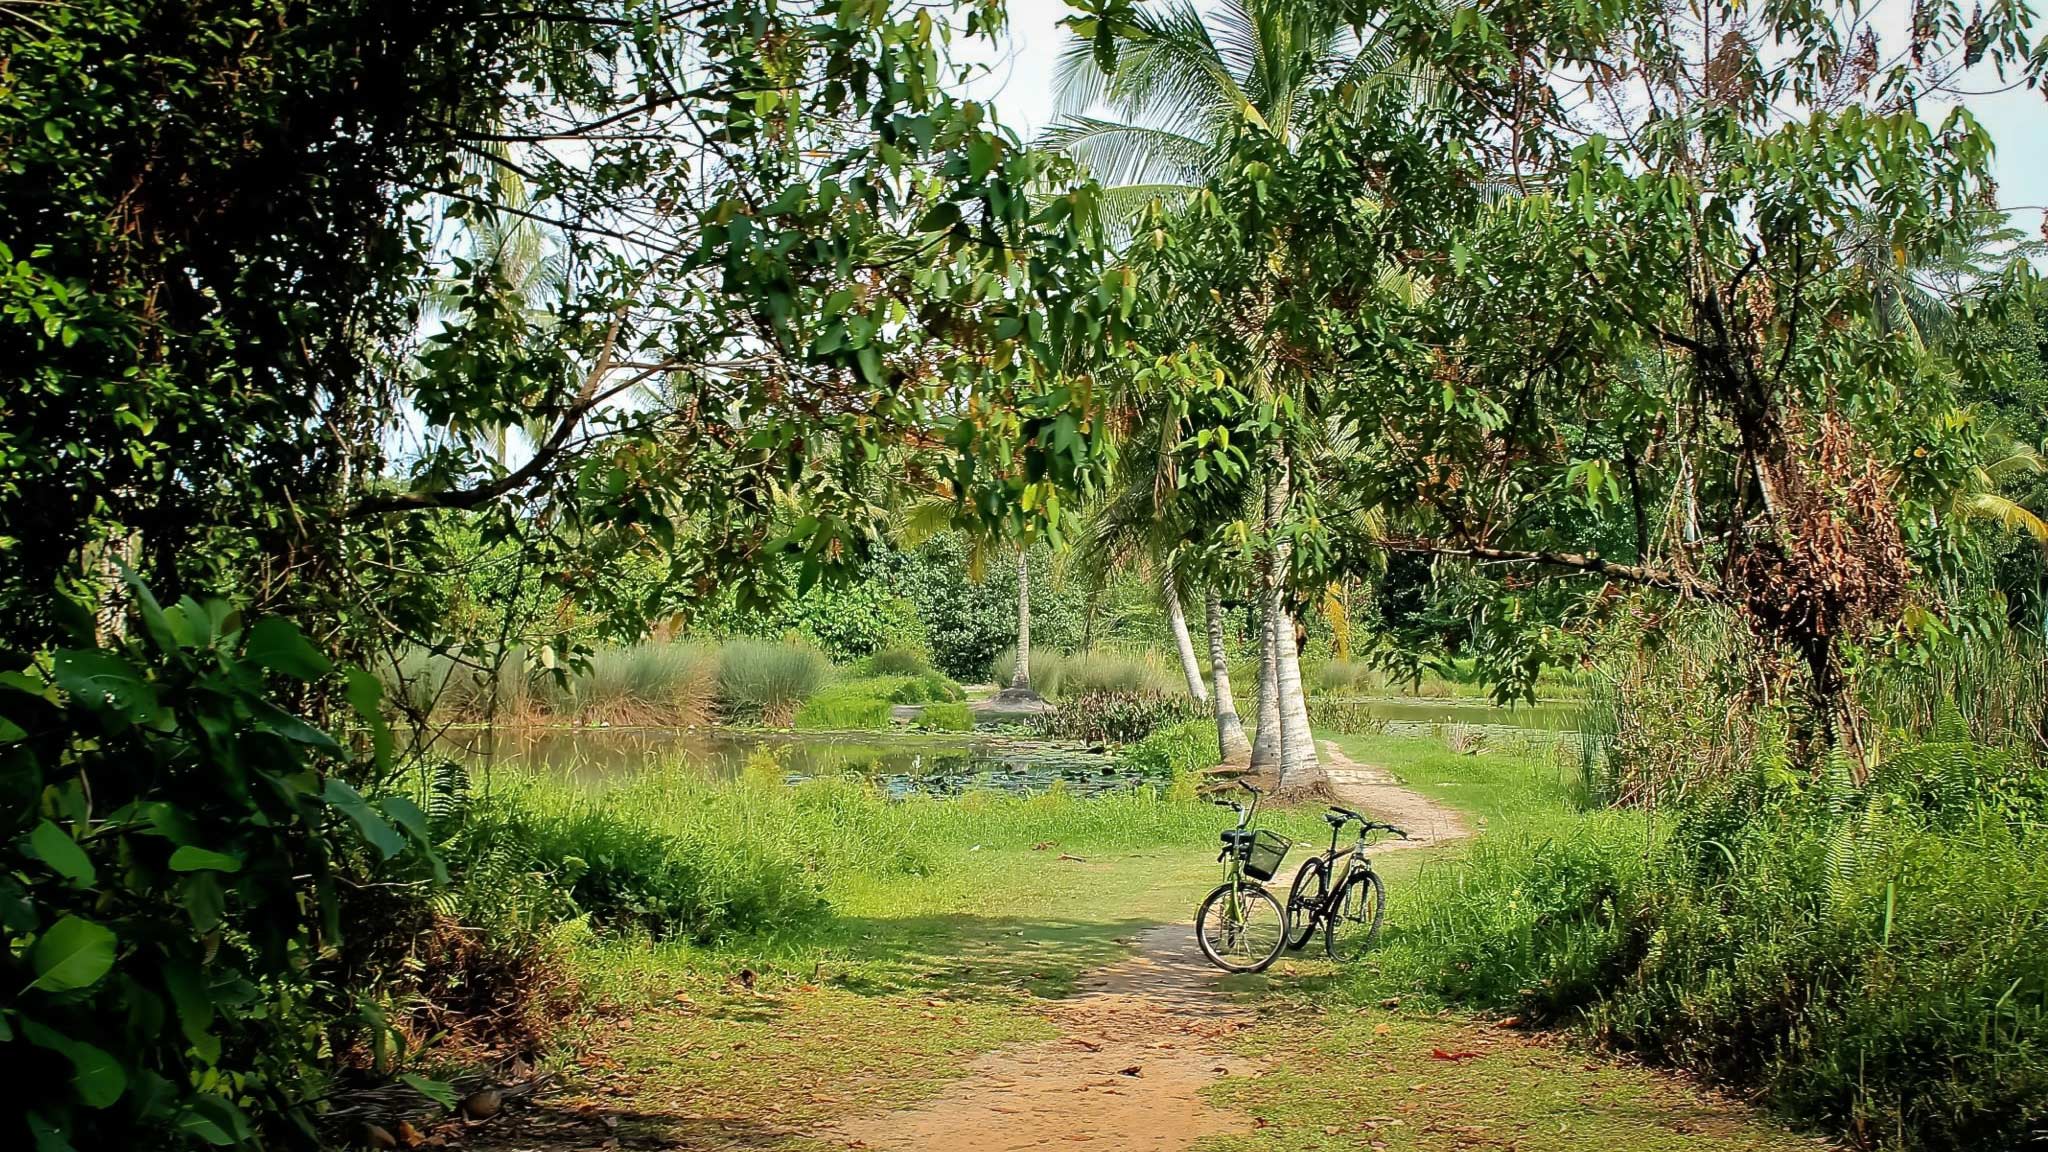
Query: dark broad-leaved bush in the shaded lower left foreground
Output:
(169,841)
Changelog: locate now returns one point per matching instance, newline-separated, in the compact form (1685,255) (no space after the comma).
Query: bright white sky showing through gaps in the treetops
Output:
(1021,83)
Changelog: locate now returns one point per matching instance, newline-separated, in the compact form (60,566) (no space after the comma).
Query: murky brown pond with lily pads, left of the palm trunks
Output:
(900,764)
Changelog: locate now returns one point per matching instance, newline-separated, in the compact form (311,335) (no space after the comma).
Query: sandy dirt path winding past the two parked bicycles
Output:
(1138,1044)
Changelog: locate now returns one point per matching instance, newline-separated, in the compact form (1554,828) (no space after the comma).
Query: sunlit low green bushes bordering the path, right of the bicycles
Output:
(1852,960)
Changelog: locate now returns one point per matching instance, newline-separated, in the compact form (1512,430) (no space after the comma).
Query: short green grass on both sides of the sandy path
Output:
(947,923)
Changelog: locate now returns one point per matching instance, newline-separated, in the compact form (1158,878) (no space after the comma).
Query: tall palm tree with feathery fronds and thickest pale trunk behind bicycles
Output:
(1187,85)
